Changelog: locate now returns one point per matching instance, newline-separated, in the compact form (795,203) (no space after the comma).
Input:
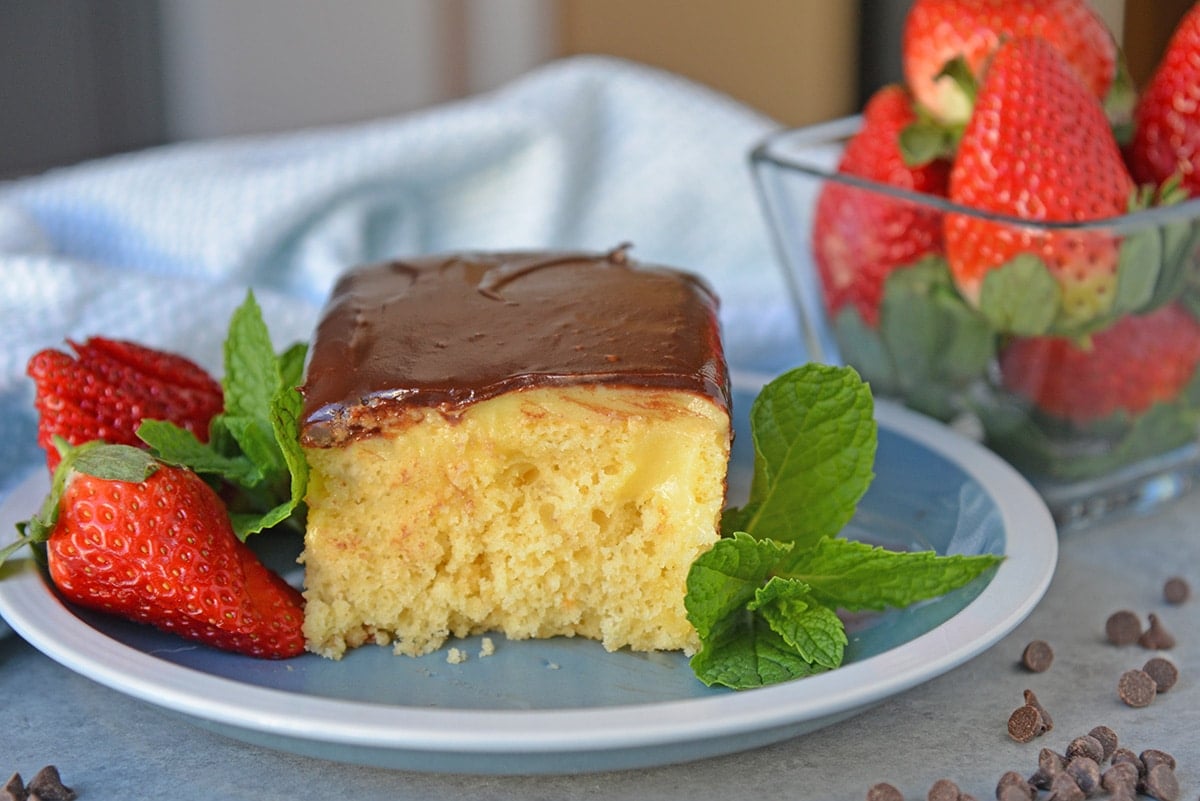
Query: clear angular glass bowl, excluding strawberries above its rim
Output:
(1094,396)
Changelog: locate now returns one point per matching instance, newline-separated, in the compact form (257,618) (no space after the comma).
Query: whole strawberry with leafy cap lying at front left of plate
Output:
(129,535)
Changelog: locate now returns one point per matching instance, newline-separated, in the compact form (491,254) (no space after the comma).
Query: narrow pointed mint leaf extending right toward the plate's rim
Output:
(857,576)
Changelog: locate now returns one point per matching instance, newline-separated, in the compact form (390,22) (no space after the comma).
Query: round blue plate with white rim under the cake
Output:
(567,706)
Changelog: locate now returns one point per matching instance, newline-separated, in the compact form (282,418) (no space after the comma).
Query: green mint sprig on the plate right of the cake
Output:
(765,598)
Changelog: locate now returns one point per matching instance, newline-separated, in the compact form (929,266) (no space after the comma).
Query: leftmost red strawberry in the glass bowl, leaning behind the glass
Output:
(860,237)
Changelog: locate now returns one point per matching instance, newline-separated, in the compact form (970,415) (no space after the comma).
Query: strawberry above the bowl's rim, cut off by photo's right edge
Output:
(1167,121)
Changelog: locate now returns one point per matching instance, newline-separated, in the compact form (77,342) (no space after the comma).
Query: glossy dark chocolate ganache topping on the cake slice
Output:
(454,330)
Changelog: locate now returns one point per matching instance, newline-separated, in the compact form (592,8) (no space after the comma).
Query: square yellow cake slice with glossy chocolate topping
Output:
(524,443)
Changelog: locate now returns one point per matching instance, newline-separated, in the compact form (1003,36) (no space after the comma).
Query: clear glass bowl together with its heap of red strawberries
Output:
(1010,239)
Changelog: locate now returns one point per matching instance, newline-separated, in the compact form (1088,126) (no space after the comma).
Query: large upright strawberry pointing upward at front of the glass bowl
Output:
(1040,148)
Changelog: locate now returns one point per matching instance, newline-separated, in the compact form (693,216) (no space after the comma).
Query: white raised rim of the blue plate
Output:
(1018,587)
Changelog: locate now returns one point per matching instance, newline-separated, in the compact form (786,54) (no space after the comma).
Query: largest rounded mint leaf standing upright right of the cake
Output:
(814,435)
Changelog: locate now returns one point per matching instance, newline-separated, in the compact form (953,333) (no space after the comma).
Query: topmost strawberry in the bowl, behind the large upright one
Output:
(937,32)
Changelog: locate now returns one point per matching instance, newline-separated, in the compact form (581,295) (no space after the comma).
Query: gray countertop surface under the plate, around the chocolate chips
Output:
(110,746)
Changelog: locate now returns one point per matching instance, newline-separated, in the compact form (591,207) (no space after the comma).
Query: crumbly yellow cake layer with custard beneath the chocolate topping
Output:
(571,511)
